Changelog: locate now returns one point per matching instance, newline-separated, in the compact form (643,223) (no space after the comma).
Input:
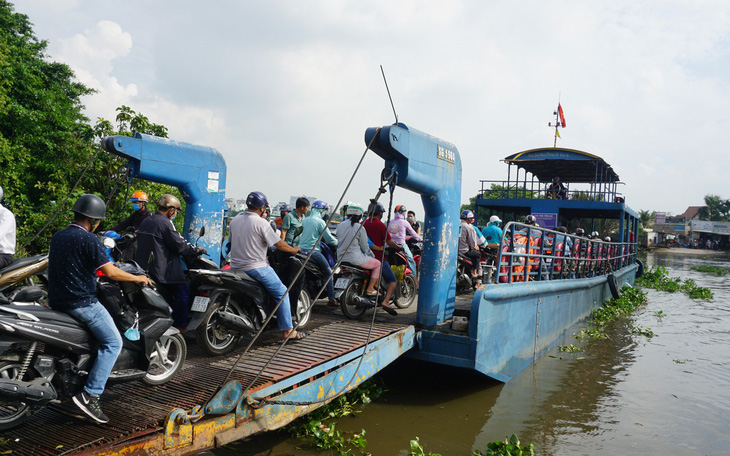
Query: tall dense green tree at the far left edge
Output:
(44,137)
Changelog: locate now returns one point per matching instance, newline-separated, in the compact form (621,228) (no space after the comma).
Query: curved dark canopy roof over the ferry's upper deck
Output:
(569,164)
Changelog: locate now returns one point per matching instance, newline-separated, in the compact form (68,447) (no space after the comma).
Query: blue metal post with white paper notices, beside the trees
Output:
(198,171)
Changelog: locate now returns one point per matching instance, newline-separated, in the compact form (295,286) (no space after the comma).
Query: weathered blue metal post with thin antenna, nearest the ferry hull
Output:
(432,168)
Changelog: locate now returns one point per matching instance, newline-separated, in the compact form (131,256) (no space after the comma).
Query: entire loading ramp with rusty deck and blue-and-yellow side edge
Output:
(159,420)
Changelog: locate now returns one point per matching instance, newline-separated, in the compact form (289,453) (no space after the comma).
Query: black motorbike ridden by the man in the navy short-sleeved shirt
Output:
(45,355)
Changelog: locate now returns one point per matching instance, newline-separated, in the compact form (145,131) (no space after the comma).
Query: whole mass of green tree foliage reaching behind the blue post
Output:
(49,153)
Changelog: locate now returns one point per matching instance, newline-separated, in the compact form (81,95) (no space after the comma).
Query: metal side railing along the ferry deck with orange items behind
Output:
(529,253)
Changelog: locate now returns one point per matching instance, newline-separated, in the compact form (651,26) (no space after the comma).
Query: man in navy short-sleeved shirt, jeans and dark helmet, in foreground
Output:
(74,257)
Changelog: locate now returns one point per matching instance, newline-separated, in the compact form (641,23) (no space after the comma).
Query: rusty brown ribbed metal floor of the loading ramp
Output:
(136,410)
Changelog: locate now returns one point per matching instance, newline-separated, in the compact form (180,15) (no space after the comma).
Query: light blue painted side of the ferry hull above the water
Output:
(511,324)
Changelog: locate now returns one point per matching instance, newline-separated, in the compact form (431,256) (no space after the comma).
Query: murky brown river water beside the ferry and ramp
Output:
(665,395)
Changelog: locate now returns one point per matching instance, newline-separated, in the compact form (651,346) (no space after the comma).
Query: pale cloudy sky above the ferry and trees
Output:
(284,90)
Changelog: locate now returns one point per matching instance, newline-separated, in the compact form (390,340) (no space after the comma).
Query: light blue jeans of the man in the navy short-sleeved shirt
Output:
(102,326)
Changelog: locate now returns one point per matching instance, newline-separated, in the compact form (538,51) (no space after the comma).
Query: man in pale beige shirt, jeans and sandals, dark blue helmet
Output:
(251,236)
